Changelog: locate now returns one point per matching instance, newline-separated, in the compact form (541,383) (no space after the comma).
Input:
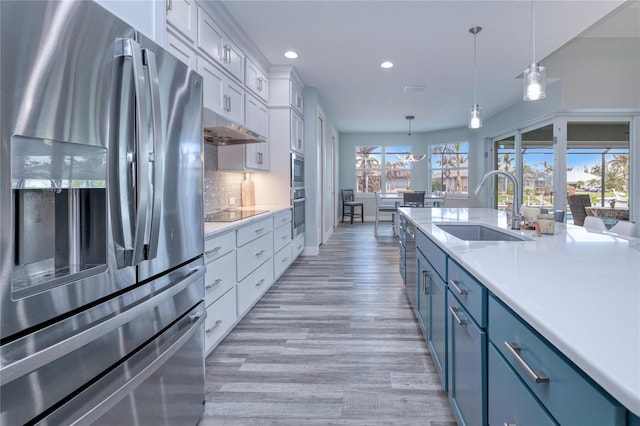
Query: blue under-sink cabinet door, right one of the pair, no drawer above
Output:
(437,335)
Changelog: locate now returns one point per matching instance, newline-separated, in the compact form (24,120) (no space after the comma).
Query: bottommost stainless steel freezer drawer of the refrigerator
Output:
(161,384)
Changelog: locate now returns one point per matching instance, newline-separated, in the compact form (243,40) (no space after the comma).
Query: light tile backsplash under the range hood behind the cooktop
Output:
(219,186)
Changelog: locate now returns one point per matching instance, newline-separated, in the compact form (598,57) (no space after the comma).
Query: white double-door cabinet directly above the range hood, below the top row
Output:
(220,93)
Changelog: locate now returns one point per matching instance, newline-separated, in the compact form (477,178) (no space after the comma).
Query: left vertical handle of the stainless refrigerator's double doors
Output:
(131,247)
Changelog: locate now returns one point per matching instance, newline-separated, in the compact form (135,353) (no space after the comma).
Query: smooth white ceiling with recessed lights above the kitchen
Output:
(342,43)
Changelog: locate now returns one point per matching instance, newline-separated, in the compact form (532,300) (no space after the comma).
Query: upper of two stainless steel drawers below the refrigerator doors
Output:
(57,362)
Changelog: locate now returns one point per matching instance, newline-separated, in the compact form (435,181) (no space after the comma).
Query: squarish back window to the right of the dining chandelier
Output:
(450,168)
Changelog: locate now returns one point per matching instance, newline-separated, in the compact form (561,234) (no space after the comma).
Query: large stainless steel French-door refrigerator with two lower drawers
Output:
(101,266)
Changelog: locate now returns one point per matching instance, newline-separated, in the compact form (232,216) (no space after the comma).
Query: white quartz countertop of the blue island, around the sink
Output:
(578,289)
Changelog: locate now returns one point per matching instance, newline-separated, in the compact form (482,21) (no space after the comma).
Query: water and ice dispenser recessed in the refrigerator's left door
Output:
(59,213)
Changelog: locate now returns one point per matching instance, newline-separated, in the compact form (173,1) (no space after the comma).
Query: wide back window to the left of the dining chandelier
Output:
(378,168)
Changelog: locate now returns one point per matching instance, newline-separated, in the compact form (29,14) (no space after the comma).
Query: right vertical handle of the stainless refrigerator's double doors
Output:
(156,156)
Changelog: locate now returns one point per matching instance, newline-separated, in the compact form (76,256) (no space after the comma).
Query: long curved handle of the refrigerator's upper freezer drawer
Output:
(32,362)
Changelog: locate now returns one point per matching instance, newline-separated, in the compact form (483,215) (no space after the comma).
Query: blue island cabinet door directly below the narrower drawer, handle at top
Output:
(467,364)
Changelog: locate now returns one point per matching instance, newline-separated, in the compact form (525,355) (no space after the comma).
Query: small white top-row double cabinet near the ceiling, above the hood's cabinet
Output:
(215,44)
